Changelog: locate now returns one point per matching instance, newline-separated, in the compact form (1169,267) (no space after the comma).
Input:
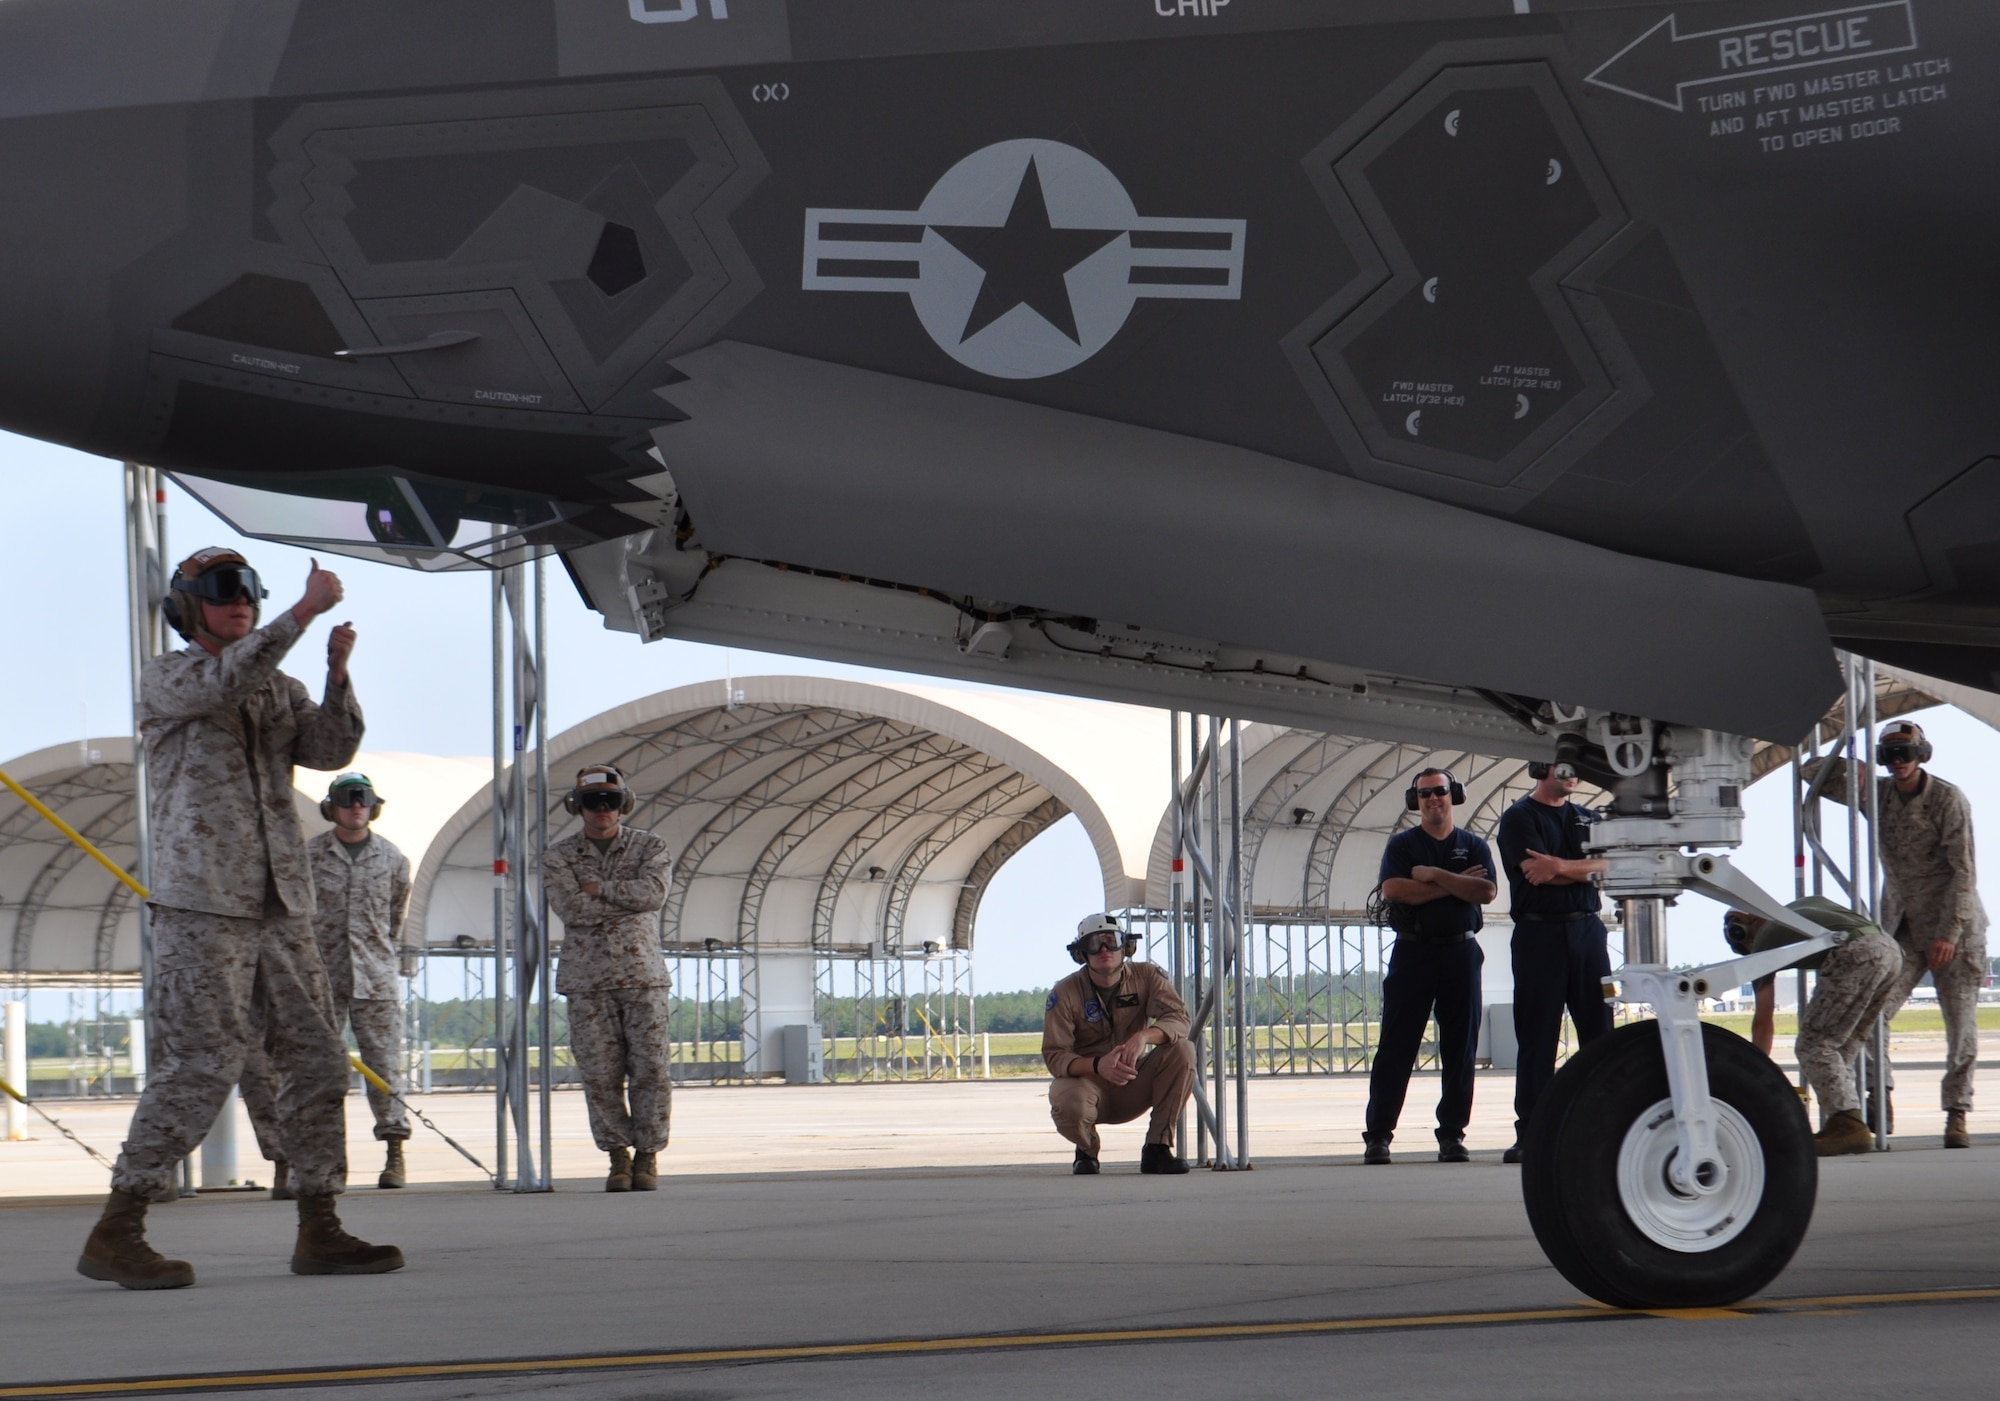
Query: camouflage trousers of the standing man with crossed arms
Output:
(621,1042)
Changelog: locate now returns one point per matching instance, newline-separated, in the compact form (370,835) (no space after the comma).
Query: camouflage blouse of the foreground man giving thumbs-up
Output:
(221,740)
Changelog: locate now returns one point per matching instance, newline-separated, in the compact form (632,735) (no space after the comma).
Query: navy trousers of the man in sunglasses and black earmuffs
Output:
(1423,980)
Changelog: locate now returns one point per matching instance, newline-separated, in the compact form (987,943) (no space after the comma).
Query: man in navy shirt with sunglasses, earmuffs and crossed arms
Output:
(1435,878)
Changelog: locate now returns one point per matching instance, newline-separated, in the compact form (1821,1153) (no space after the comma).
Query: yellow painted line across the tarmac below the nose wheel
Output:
(929,1346)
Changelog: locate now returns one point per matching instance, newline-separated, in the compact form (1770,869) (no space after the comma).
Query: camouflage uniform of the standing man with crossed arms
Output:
(615,980)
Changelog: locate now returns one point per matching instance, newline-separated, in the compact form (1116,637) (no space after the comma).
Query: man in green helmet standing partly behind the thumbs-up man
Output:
(361,888)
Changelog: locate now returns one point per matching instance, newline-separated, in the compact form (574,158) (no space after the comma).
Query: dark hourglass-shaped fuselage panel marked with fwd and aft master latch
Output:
(1473,199)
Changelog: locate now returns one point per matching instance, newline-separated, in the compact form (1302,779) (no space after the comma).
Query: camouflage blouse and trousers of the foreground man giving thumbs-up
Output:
(233,944)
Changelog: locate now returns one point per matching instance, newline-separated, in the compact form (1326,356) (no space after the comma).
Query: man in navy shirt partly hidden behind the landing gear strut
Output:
(1561,956)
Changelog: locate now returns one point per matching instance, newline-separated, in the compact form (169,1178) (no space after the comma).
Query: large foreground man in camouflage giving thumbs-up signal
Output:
(233,914)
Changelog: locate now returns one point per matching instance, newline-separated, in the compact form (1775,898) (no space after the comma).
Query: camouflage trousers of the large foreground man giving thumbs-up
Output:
(217,982)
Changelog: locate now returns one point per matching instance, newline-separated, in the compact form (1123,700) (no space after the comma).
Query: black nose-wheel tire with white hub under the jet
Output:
(1601,1122)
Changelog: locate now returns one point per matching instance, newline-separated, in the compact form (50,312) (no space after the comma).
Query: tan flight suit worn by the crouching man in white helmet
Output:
(1087,1022)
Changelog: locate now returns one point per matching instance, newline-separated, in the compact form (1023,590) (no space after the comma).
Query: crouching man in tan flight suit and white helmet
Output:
(1095,1034)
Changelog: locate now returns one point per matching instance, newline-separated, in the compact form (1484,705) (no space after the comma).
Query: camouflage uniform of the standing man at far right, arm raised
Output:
(1931,894)
